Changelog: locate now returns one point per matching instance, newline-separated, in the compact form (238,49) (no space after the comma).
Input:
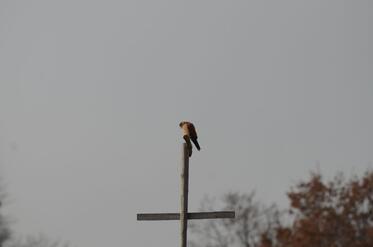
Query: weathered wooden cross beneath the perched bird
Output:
(184,215)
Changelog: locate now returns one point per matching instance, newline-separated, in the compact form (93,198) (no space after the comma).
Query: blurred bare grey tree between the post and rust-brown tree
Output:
(252,220)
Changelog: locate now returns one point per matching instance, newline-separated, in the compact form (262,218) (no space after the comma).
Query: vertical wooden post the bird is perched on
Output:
(184,196)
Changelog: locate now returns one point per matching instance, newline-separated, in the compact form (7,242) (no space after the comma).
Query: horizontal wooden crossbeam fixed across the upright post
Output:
(191,216)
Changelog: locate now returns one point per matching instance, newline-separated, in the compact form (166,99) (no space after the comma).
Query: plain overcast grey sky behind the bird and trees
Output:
(91,94)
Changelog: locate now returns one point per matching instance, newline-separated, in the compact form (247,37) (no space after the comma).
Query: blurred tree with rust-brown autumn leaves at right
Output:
(334,214)
